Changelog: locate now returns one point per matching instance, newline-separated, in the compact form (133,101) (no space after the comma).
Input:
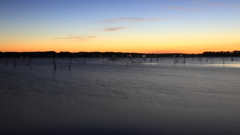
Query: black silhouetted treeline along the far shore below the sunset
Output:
(115,54)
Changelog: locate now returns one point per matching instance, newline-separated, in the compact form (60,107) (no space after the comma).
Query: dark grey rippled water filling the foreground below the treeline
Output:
(97,96)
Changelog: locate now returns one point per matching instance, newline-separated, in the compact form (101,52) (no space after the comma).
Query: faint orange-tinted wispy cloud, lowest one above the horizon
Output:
(75,38)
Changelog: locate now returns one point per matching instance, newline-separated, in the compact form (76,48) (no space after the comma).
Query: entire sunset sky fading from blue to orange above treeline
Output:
(143,26)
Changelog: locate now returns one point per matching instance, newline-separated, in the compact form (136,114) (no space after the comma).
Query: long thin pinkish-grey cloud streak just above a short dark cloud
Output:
(133,19)
